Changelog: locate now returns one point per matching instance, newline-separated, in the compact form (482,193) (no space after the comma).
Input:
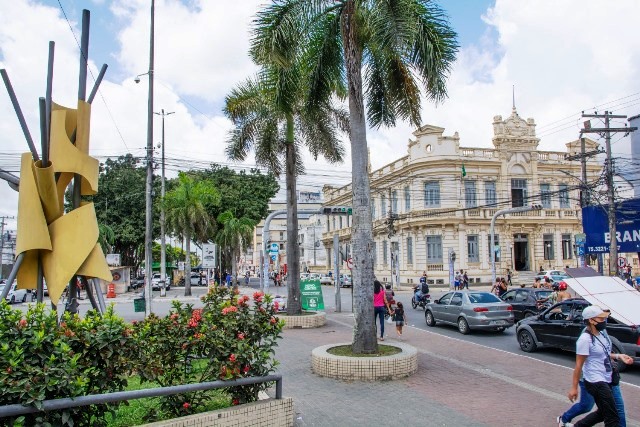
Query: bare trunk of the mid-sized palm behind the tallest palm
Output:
(293,250)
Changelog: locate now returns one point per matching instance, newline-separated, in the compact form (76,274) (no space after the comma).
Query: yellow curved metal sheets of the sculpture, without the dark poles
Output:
(67,244)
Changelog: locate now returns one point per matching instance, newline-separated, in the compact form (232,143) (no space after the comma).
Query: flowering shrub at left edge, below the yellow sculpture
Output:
(41,360)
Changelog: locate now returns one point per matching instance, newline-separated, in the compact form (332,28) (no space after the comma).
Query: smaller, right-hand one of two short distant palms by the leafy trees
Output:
(234,236)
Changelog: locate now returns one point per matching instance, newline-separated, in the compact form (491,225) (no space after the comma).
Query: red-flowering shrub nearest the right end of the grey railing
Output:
(228,338)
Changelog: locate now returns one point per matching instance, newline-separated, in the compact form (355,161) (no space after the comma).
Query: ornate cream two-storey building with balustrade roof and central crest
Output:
(441,197)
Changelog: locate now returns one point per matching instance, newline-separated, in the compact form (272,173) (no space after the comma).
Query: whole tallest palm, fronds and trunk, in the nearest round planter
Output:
(397,42)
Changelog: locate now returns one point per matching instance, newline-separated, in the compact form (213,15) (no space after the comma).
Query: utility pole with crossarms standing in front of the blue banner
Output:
(611,211)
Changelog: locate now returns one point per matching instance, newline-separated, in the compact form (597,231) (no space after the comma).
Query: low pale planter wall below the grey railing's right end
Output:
(270,412)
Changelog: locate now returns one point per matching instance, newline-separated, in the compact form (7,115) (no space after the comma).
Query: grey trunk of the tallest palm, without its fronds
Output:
(364,334)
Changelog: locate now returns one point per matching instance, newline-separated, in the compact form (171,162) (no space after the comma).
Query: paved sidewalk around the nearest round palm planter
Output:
(458,384)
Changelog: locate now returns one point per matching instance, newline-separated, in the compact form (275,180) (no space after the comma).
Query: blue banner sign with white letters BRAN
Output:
(596,227)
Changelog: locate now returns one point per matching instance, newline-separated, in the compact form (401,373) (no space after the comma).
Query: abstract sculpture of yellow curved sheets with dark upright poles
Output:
(53,245)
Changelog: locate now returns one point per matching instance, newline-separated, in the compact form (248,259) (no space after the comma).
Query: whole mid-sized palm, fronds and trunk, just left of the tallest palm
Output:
(270,117)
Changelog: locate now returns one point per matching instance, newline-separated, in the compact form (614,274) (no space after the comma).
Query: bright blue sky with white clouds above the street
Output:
(562,58)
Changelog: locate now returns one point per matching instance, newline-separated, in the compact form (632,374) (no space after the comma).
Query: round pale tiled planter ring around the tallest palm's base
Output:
(396,366)
